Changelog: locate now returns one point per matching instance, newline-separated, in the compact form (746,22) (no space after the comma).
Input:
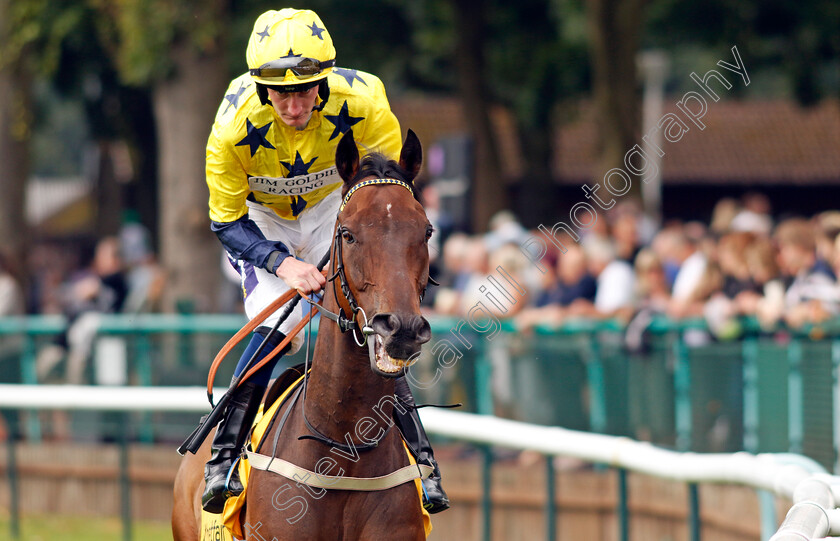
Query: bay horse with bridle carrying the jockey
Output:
(380,261)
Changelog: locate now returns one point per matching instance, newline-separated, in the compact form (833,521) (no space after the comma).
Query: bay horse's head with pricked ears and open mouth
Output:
(381,242)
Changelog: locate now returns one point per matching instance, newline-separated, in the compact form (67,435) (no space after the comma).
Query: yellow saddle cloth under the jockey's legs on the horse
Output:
(228,525)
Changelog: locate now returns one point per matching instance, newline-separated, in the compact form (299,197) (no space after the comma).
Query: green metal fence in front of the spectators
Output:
(766,392)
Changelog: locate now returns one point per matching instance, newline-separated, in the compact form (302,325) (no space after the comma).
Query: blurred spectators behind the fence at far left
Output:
(117,274)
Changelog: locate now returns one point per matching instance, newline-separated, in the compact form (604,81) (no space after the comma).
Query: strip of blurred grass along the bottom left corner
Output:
(64,528)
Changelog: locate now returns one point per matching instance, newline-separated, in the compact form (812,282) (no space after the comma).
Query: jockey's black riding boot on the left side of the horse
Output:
(230,436)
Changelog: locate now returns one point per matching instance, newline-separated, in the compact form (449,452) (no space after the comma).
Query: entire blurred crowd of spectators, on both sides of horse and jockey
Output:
(744,262)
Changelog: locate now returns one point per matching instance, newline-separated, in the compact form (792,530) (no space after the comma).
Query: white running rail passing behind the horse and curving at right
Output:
(816,495)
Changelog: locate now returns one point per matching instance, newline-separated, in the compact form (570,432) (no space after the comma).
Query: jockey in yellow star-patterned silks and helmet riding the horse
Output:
(274,197)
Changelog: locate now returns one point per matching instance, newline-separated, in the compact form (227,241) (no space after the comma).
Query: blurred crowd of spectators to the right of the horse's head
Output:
(741,263)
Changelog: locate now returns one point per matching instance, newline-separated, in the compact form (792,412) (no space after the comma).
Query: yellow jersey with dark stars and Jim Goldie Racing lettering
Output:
(252,155)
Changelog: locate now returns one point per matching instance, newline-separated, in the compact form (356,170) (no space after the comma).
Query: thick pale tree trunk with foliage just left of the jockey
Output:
(178,49)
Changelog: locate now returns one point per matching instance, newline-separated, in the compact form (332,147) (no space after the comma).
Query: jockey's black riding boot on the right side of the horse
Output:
(435,499)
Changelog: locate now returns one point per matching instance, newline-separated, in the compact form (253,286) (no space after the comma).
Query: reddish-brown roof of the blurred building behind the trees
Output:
(744,142)
